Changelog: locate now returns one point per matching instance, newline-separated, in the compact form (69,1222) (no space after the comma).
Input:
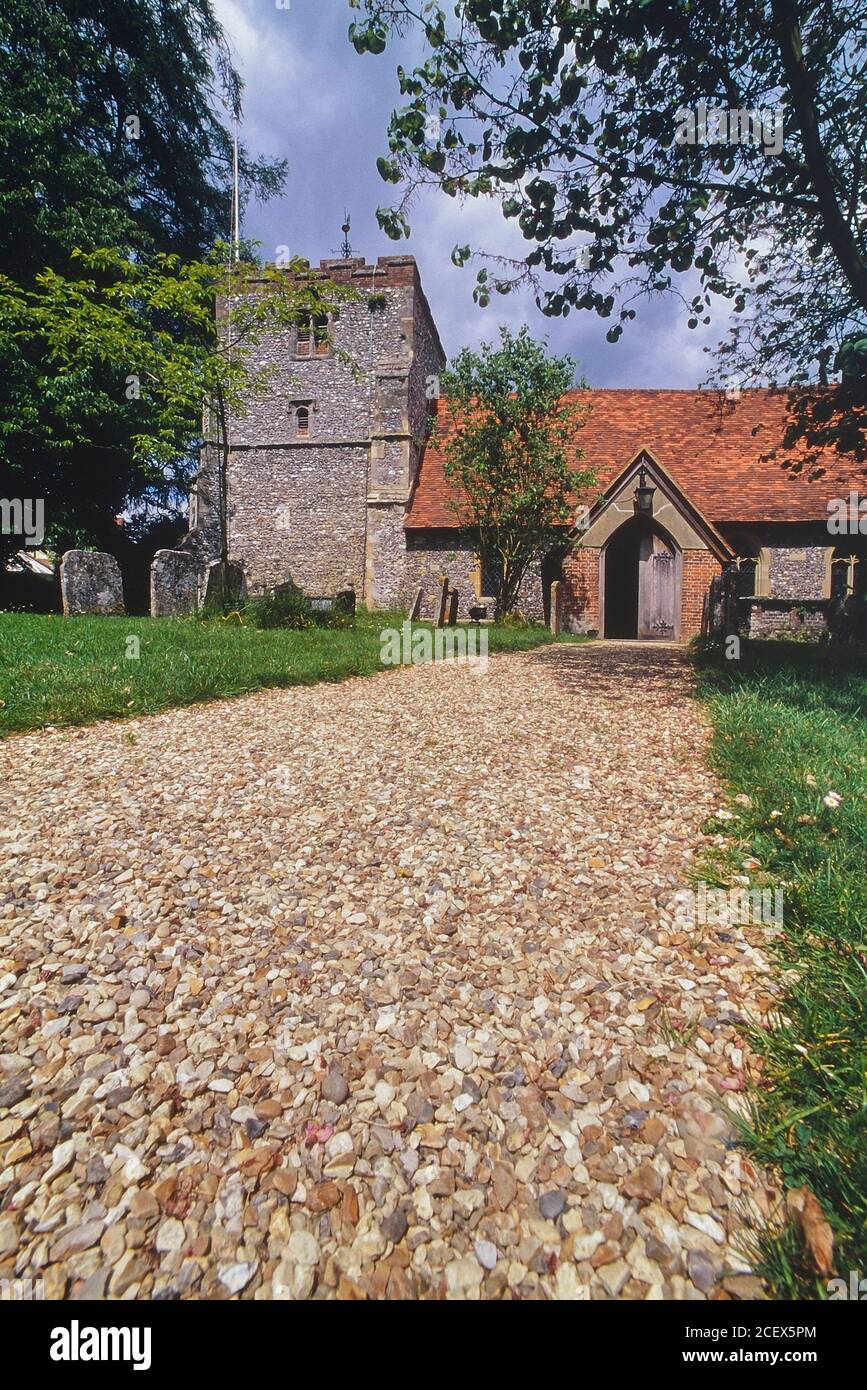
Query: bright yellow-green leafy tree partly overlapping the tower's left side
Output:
(176,341)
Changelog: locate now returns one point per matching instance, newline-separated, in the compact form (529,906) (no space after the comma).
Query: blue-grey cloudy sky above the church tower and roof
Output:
(313,101)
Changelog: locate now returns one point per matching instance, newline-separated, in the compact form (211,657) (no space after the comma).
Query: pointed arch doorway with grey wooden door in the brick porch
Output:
(641,580)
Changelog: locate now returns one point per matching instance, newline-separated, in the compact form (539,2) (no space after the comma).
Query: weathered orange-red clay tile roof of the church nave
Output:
(707,444)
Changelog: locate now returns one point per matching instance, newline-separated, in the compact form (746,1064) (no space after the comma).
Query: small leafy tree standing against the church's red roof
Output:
(512,455)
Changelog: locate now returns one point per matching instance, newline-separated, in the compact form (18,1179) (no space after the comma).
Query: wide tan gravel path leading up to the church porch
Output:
(374,990)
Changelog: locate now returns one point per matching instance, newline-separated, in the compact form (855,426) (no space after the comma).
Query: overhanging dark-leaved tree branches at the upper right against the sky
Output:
(572,117)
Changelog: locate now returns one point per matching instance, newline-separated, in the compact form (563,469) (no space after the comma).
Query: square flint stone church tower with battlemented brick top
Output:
(323,468)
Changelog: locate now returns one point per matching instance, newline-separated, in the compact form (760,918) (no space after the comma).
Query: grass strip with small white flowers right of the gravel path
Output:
(791,728)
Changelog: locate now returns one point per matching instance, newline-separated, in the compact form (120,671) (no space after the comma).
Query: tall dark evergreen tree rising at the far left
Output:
(113,134)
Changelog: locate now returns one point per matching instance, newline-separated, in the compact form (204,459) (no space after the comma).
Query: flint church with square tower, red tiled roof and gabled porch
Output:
(337,480)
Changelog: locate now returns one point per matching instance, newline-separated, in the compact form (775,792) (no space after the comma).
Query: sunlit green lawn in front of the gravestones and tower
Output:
(73,671)
